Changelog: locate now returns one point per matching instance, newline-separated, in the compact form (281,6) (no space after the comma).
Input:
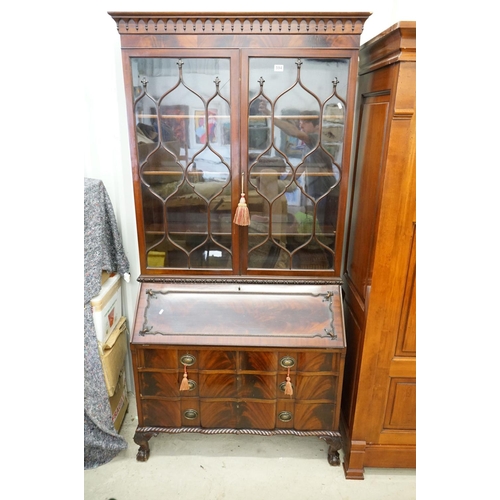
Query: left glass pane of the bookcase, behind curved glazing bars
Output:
(183,139)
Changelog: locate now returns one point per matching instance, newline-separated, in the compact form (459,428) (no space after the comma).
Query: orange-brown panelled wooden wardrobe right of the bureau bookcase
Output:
(378,421)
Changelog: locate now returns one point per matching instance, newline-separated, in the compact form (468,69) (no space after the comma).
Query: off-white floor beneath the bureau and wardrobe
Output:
(236,467)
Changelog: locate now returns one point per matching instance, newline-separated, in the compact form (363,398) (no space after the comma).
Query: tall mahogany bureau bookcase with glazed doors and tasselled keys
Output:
(240,132)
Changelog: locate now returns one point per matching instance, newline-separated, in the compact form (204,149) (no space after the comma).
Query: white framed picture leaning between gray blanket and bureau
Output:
(107,307)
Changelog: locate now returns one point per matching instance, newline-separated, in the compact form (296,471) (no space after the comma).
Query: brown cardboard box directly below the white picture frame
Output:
(113,353)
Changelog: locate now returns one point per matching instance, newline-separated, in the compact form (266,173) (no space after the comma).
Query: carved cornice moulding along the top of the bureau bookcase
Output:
(347,23)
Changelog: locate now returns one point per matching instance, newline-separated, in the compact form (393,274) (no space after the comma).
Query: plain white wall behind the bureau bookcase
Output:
(104,129)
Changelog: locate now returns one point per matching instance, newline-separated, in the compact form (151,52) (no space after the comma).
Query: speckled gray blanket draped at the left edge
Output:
(103,252)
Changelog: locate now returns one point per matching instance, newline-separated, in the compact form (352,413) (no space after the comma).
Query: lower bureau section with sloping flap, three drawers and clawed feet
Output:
(237,345)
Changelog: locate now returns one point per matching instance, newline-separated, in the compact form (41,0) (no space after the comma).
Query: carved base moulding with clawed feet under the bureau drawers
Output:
(144,434)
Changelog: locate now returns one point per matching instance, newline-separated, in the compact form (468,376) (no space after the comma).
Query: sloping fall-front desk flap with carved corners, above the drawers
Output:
(240,315)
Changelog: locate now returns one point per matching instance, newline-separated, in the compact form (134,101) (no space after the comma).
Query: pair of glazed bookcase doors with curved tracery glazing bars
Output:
(207,124)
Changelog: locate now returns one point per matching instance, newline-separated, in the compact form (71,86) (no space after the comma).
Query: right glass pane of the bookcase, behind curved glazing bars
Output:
(295,135)
